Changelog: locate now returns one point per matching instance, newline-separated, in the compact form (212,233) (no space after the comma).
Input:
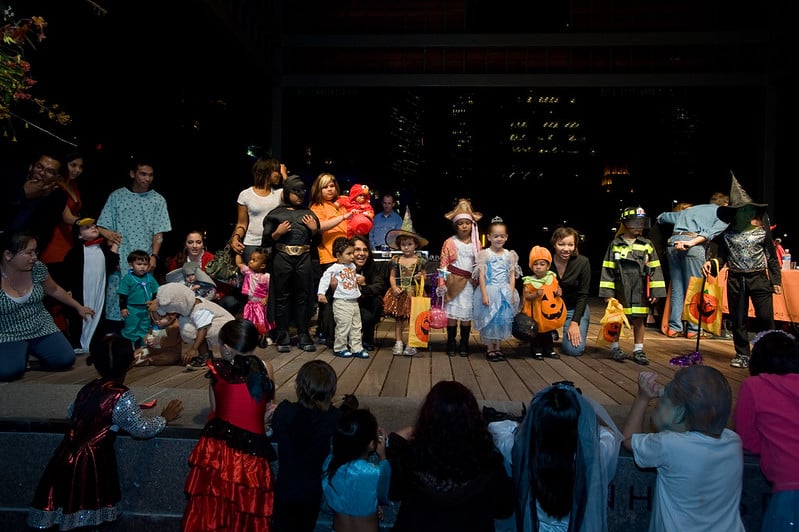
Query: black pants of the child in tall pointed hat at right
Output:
(740,288)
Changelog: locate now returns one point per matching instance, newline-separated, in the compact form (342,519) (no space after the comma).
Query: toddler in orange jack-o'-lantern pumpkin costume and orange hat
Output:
(543,303)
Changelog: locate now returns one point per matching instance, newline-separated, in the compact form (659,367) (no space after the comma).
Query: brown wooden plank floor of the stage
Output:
(516,380)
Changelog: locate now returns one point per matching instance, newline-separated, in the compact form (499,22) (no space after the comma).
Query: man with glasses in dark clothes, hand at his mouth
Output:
(33,201)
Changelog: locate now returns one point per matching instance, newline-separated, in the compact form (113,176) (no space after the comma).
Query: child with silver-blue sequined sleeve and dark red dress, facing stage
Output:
(80,486)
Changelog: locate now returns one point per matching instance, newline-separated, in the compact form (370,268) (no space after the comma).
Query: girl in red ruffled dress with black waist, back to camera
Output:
(230,484)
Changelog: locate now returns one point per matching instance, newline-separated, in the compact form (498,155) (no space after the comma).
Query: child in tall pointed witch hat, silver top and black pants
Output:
(746,247)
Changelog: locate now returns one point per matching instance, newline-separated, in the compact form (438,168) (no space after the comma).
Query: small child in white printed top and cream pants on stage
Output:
(346,312)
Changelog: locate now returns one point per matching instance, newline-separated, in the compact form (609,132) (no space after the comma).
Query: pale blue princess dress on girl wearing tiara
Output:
(495,320)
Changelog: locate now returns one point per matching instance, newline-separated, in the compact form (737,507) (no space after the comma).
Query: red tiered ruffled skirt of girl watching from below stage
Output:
(227,489)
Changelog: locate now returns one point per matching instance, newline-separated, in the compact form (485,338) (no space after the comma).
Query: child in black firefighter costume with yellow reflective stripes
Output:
(632,274)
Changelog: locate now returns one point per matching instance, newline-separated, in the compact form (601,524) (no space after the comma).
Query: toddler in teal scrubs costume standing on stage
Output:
(135,290)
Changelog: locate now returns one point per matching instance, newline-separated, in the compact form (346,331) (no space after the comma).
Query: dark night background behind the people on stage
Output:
(170,79)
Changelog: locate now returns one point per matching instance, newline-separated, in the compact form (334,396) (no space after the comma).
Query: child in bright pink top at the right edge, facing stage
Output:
(767,419)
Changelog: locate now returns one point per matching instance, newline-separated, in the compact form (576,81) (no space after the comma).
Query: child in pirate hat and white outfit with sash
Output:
(459,258)
